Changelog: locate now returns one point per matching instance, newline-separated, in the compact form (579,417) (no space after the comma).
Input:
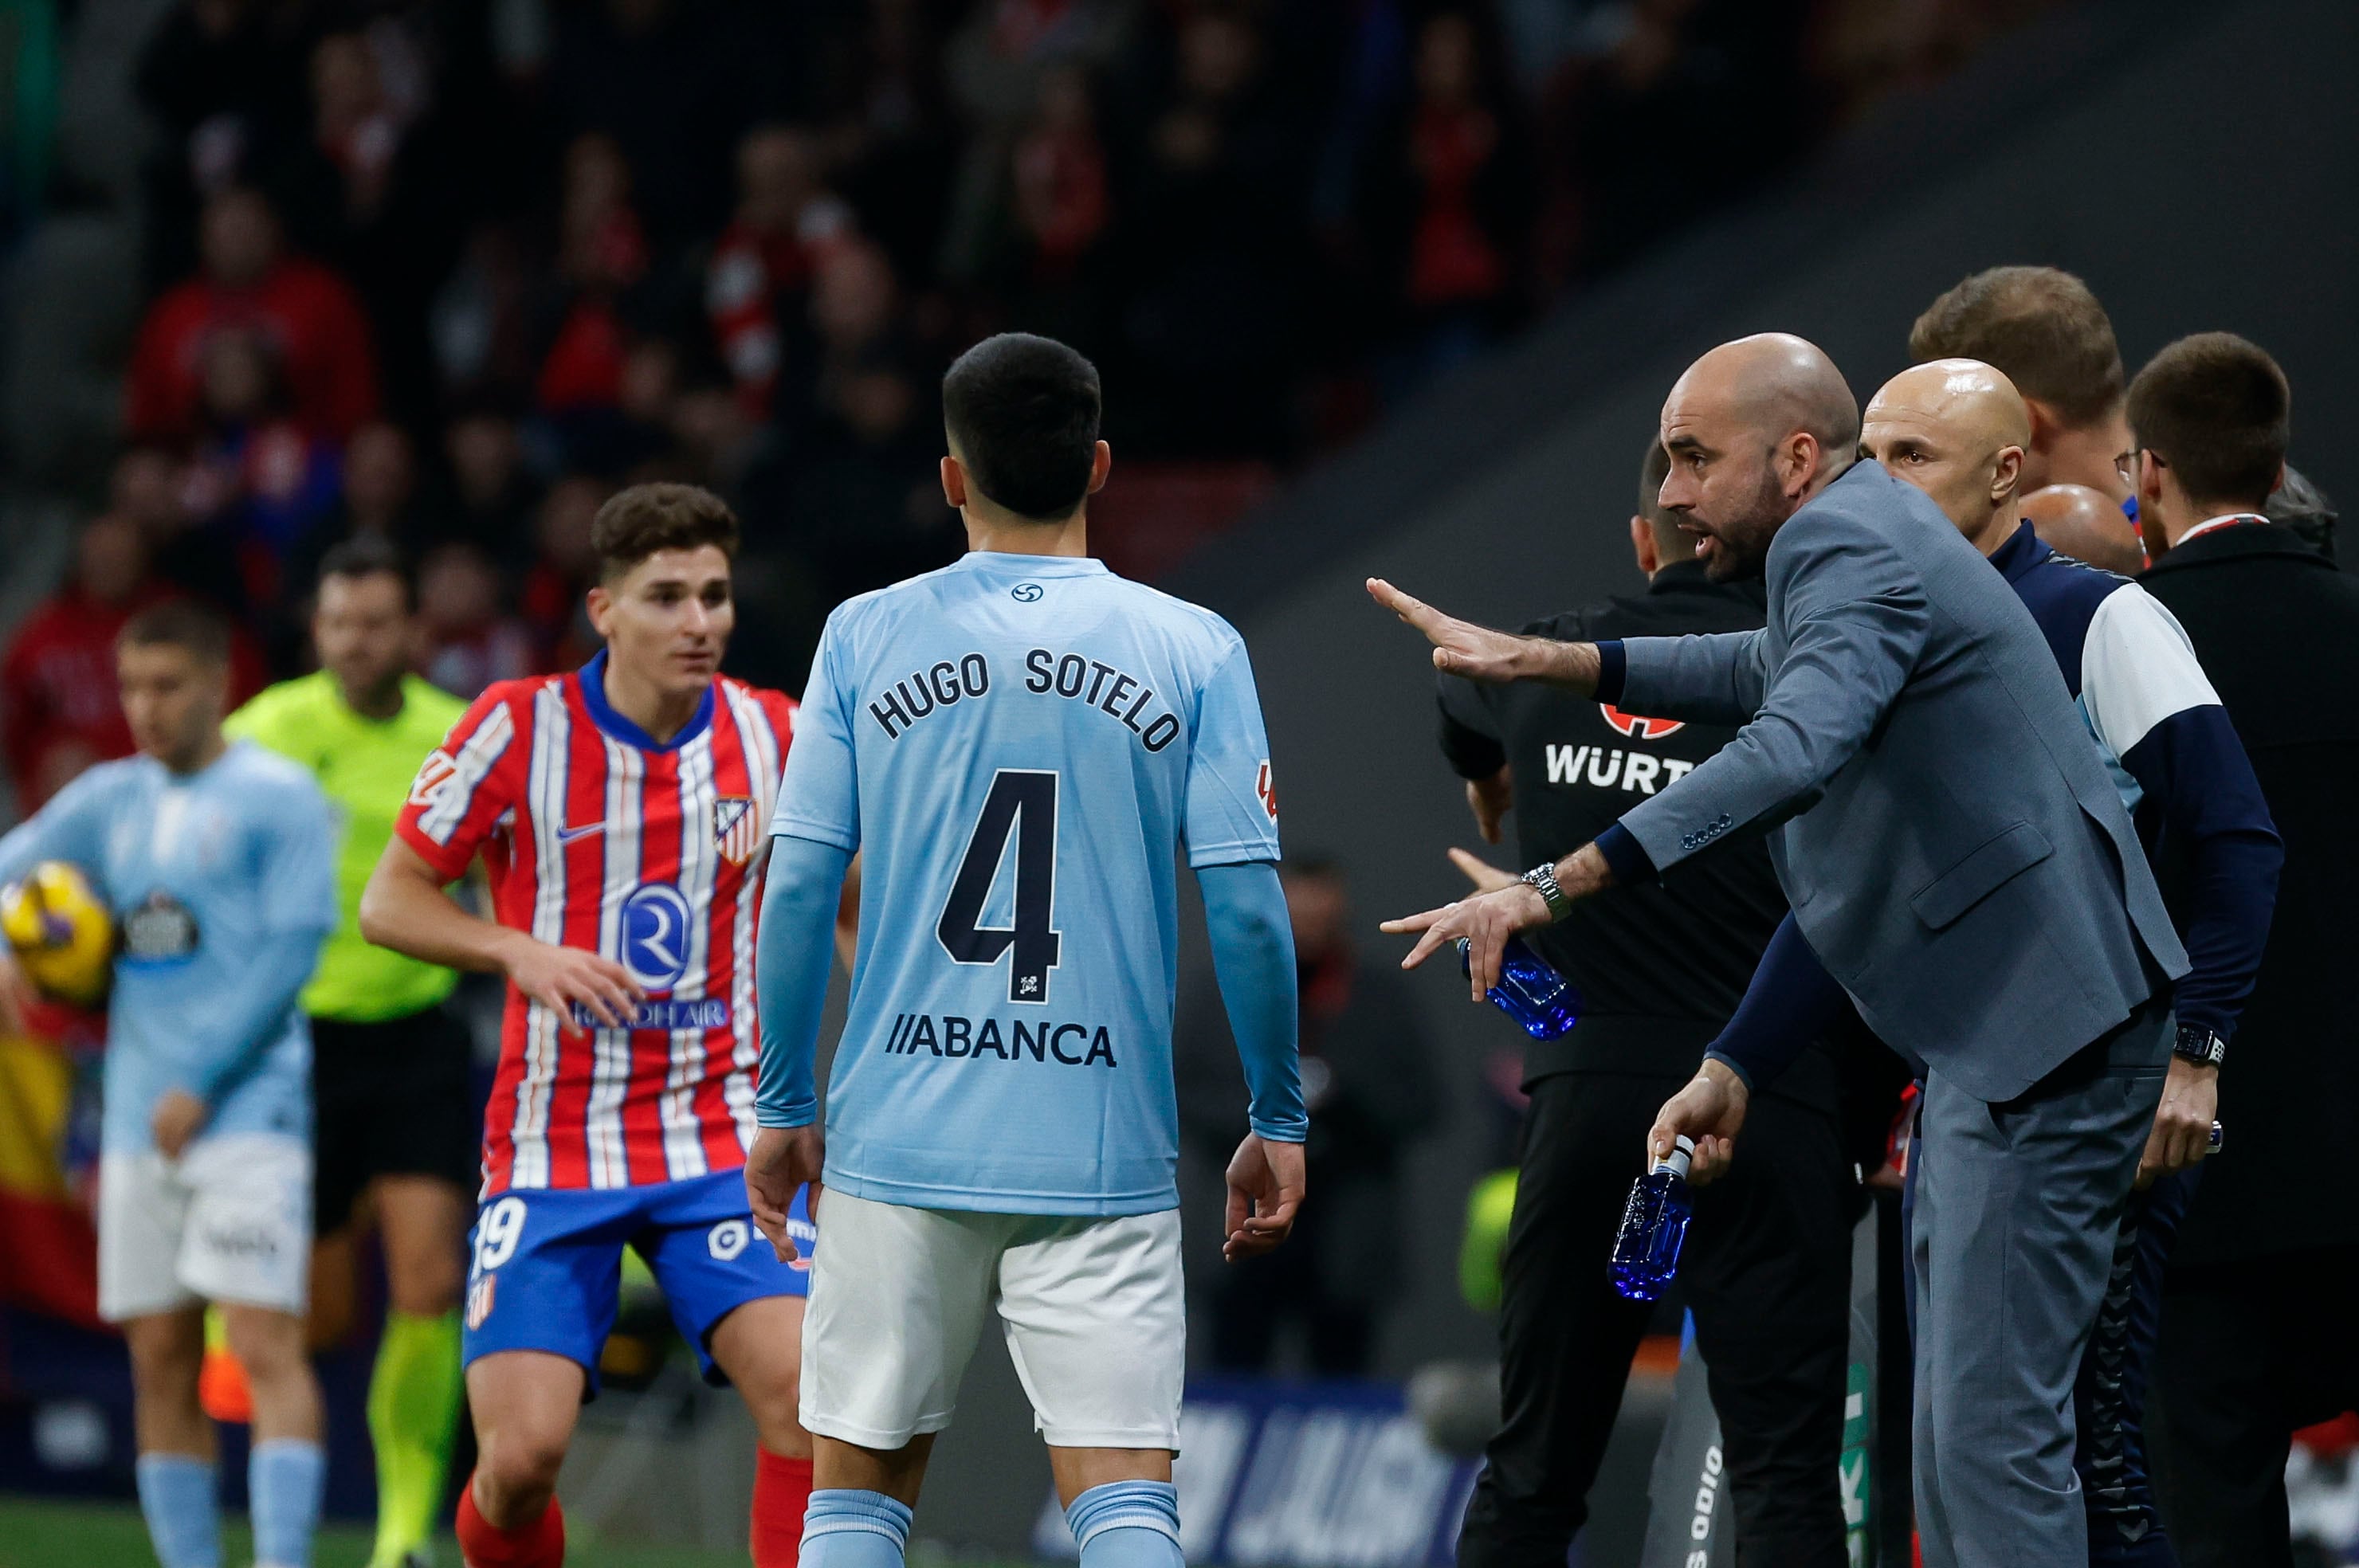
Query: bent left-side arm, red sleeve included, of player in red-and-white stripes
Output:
(464,791)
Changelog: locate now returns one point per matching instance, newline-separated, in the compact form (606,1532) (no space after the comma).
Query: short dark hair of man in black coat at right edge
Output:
(2216,409)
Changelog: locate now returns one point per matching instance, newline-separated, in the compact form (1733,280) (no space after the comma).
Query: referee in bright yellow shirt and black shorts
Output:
(395,1116)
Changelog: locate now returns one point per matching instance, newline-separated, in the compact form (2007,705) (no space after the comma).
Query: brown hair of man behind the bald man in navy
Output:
(2037,324)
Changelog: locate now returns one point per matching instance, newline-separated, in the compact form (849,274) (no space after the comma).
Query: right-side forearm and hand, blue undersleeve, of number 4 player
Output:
(1254,954)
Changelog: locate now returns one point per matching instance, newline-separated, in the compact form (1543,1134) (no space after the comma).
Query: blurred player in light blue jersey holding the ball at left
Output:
(218,867)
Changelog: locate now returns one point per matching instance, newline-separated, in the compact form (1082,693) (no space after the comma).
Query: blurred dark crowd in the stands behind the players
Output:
(452,270)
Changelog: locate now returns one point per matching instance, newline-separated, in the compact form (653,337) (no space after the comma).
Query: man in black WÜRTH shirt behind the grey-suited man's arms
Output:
(1660,970)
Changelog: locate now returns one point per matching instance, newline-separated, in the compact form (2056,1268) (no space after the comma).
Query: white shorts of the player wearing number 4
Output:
(1093,1310)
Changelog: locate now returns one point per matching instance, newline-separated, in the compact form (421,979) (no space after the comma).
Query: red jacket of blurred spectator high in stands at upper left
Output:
(310,319)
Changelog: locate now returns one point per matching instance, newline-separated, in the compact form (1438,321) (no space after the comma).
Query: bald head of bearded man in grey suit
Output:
(1754,430)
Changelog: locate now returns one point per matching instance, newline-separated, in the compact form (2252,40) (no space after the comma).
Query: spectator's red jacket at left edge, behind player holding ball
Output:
(58,687)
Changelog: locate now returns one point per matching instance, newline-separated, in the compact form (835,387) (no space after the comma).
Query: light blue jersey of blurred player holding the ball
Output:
(197,869)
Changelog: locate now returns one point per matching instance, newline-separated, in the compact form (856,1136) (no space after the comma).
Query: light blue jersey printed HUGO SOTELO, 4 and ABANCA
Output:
(1020,746)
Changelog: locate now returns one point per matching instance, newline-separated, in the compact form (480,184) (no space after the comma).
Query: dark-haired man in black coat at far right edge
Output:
(2256,1326)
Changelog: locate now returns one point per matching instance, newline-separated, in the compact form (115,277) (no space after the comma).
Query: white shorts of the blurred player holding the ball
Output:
(225,1223)
